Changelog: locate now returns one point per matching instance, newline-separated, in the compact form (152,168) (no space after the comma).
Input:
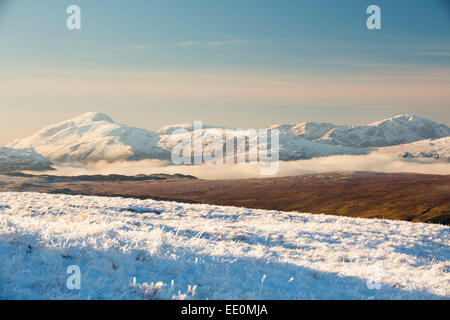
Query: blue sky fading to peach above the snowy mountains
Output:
(233,63)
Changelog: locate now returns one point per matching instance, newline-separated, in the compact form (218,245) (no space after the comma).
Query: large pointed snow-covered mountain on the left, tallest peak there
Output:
(93,137)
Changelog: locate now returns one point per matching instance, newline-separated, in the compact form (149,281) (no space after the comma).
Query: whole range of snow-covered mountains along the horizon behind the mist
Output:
(93,137)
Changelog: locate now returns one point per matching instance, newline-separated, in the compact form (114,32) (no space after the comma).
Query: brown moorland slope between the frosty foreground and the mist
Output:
(403,196)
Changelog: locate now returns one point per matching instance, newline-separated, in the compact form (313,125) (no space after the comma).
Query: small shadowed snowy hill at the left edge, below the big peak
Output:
(22,159)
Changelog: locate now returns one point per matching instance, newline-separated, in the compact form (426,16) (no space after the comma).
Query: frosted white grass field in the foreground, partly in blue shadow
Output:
(136,249)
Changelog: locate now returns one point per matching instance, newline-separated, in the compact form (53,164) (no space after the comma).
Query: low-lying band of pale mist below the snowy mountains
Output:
(373,162)
